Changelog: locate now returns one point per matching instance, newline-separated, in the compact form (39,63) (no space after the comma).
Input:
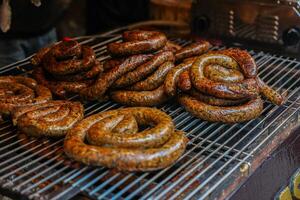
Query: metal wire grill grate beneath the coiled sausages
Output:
(217,156)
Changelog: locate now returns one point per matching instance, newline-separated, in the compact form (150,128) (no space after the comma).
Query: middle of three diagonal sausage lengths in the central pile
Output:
(143,70)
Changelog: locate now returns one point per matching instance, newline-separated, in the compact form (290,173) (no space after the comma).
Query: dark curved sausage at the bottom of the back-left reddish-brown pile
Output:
(59,88)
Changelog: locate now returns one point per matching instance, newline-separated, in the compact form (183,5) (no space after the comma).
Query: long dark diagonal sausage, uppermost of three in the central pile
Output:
(106,79)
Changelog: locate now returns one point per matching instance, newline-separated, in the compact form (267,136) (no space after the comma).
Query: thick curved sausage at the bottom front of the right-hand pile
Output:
(232,114)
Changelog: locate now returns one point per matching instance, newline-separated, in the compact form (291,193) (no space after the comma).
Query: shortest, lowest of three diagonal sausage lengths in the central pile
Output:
(155,80)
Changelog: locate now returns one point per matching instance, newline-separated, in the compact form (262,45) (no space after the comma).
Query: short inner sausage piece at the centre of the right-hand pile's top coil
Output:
(221,74)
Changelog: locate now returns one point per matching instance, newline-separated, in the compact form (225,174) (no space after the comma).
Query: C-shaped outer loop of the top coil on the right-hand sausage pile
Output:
(246,89)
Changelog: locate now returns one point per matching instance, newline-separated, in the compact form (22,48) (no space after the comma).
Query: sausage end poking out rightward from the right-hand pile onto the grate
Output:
(269,93)
